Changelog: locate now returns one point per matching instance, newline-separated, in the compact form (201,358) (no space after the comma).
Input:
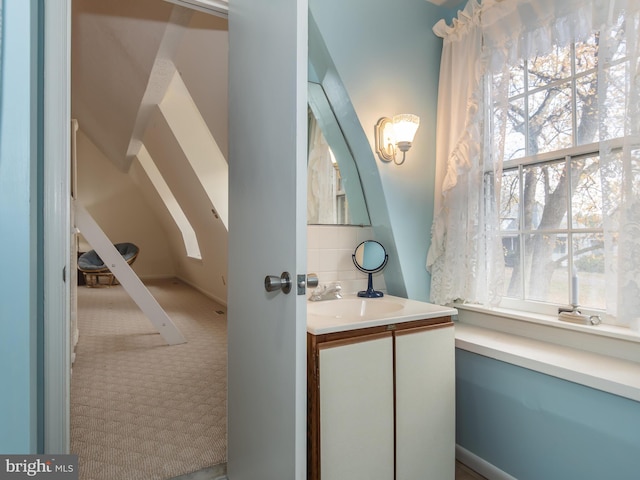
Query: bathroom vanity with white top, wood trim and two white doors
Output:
(381,384)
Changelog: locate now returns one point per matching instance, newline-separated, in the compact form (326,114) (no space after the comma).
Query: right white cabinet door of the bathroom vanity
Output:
(425,404)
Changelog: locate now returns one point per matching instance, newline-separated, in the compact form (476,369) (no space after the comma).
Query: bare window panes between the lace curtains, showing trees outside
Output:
(551,206)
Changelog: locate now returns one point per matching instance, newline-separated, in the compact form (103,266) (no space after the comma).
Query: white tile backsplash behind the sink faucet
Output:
(329,250)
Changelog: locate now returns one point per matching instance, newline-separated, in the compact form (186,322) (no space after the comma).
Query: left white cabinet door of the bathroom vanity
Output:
(356,409)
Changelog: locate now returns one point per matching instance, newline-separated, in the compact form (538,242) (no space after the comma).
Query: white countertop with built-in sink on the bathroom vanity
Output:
(352,312)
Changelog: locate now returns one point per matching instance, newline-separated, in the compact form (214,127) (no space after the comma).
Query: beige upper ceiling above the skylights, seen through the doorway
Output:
(123,57)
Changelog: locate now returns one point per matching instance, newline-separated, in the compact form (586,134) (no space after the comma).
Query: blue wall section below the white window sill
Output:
(534,426)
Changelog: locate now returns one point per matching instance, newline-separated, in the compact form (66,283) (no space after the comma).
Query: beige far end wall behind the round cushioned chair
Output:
(118,206)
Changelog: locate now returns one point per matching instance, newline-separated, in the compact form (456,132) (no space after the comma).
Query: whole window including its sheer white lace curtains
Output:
(537,199)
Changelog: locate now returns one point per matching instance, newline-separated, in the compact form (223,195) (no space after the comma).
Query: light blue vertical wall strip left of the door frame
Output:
(19,300)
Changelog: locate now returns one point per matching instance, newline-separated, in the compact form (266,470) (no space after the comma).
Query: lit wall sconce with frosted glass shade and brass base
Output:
(395,134)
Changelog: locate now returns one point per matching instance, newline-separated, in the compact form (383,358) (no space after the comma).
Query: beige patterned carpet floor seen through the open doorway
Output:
(141,409)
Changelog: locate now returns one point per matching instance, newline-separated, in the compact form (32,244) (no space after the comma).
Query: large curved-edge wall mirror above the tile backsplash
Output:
(334,190)
